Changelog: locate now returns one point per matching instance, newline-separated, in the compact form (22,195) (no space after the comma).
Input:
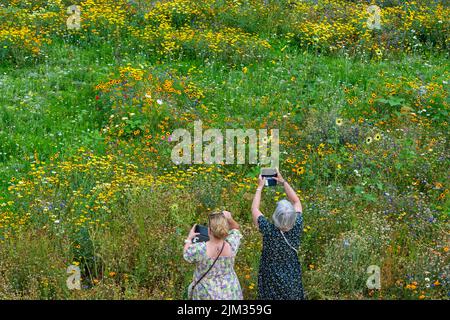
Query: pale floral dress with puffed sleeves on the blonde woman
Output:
(221,282)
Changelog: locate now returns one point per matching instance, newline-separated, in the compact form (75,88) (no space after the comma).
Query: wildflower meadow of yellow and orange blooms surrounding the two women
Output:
(91,92)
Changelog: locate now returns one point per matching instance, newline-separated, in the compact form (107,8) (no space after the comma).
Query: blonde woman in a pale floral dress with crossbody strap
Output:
(214,275)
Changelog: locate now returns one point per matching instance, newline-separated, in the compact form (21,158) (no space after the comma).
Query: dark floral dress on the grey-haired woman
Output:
(280,274)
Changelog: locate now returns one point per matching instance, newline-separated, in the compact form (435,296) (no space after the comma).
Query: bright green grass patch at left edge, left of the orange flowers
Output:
(50,107)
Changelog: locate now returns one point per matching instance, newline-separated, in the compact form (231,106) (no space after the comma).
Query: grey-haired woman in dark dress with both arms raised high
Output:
(280,274)
